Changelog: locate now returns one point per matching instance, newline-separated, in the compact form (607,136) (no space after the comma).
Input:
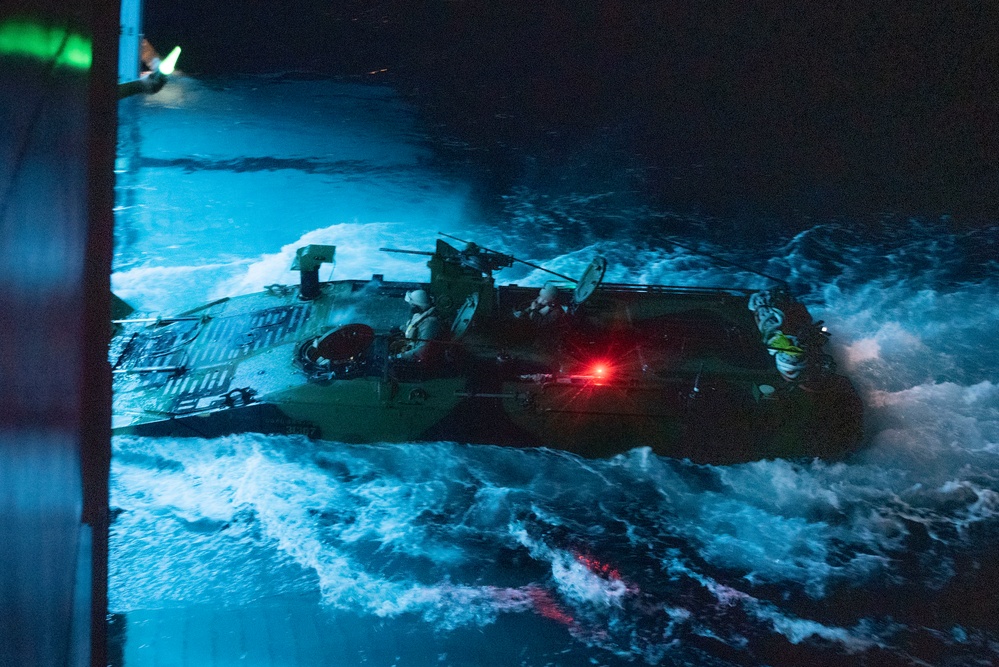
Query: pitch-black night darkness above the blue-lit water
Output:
(838,108)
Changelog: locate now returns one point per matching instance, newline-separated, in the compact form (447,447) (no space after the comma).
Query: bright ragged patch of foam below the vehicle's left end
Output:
(300,515)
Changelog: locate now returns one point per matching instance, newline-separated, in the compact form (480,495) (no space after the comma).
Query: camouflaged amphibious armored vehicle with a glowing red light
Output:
(707,373)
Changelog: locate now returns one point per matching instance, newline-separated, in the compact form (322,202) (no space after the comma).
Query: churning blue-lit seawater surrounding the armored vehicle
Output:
(888,557)
